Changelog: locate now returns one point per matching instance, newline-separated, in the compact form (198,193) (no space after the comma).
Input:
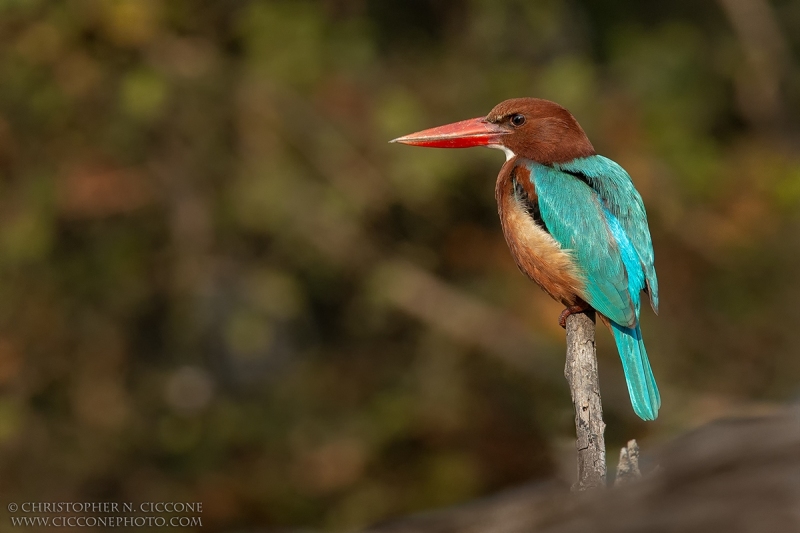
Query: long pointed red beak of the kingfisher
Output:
(464,134)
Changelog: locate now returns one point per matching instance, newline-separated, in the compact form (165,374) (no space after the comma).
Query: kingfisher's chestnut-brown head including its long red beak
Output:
(532,128)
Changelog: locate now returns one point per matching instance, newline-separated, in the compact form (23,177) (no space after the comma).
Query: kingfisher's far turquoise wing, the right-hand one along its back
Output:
(618,194)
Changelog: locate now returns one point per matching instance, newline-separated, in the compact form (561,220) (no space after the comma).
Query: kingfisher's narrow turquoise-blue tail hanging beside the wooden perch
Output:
(641,384)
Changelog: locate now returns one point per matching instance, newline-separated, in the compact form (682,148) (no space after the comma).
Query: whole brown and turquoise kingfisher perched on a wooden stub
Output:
(573,220)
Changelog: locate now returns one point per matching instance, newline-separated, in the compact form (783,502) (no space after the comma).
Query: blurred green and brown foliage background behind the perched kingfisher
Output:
(219,283)
